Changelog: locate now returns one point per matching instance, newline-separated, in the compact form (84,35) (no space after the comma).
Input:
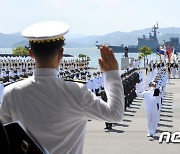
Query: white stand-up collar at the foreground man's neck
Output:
(45,72)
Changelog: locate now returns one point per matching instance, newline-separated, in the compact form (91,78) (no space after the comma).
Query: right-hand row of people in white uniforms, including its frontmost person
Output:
(153,98)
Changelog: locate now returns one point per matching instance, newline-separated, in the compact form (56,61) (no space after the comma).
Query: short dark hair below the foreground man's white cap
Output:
(46,50)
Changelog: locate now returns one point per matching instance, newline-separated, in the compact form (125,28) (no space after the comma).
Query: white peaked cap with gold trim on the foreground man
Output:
(44,31)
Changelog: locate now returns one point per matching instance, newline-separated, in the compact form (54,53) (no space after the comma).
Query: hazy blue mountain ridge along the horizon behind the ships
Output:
(81,41)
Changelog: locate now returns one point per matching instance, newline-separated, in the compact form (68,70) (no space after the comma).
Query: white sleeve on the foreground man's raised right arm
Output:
(111,111)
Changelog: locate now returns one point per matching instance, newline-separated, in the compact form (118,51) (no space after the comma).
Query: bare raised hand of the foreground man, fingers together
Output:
(107,61)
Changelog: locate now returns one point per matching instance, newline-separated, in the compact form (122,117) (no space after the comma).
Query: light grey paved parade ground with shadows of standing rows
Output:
(129,136)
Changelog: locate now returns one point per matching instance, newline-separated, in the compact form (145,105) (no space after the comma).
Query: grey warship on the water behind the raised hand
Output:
(150,42)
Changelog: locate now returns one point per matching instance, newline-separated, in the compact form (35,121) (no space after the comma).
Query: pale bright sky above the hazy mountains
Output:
(90,17)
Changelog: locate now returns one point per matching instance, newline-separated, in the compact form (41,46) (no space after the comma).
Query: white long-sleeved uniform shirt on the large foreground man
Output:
(56,111)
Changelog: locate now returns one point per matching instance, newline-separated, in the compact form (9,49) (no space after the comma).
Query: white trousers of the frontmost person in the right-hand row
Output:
(152,121)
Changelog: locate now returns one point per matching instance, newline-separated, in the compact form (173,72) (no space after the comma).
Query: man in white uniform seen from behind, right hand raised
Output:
(56,111)
